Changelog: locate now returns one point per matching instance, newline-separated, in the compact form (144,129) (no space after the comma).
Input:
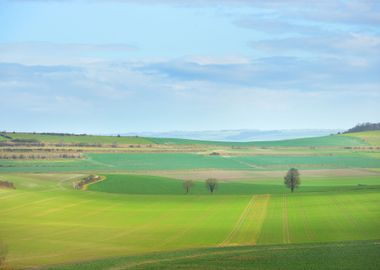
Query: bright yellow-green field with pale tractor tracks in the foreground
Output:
(46,222)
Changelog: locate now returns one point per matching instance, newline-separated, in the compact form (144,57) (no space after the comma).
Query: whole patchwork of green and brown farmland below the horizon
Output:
(139,217)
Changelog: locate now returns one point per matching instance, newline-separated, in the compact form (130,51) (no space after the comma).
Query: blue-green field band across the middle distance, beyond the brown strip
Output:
(188,161)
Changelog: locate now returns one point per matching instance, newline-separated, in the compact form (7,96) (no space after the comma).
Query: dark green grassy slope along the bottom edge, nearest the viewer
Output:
(331,256)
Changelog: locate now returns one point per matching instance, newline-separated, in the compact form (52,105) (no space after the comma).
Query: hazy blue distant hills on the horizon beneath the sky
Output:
(238,135)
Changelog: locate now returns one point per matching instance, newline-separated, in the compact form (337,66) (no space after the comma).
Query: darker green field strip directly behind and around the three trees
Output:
(149,185)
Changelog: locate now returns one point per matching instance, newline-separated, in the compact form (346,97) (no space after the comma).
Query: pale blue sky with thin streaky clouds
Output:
(105,67)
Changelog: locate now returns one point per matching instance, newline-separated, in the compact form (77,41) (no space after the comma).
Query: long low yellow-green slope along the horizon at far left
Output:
(86,139)
